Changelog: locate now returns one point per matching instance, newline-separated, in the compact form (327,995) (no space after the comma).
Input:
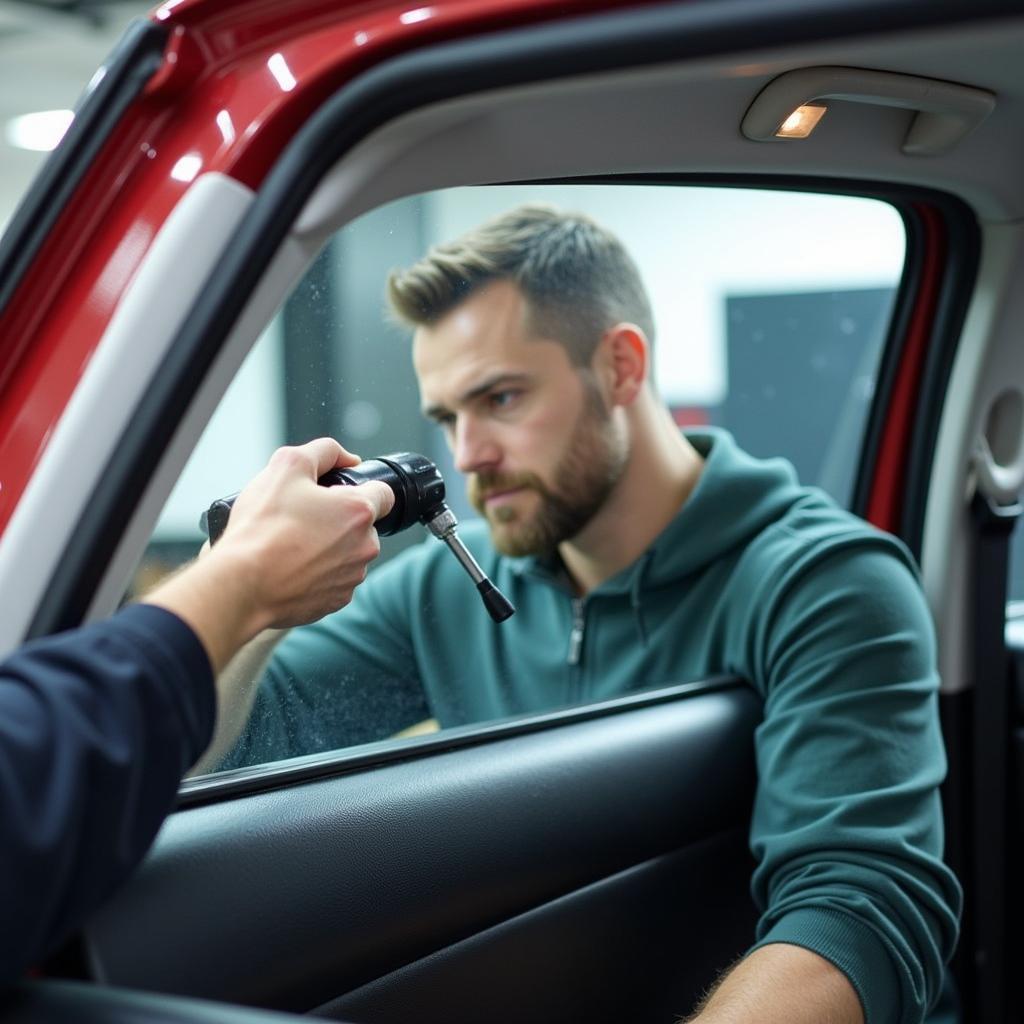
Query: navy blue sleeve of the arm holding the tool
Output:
(98,727)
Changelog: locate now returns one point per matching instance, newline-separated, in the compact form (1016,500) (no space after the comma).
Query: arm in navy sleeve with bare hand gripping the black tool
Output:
(98,727)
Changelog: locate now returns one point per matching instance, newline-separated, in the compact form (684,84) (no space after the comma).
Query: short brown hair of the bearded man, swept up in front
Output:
(577,277)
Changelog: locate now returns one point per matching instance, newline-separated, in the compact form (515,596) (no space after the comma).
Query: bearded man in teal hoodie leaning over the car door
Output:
(637,556)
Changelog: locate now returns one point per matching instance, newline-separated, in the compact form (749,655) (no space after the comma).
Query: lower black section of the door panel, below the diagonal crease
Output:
(643,946)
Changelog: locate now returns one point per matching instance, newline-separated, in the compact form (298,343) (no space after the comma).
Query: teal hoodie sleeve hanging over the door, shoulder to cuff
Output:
(847,827)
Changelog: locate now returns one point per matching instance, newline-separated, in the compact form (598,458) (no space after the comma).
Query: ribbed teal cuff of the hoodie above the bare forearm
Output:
(852,948)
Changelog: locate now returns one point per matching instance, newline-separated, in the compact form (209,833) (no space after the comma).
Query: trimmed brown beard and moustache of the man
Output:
(593,464)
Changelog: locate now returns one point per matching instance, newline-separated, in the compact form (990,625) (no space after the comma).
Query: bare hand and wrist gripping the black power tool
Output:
(293,551)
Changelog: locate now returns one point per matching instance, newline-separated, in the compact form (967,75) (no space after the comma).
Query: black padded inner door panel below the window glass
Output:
(598,862)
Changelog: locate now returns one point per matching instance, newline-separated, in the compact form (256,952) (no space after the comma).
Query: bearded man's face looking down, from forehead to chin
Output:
(532,432)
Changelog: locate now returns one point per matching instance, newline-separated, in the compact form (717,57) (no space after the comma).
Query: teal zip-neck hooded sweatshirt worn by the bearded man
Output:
(757,577)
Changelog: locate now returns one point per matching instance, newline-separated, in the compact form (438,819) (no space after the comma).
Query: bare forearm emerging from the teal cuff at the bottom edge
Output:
(783,985)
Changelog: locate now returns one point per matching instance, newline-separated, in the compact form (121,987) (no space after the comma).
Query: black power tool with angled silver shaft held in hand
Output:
(419,497)
